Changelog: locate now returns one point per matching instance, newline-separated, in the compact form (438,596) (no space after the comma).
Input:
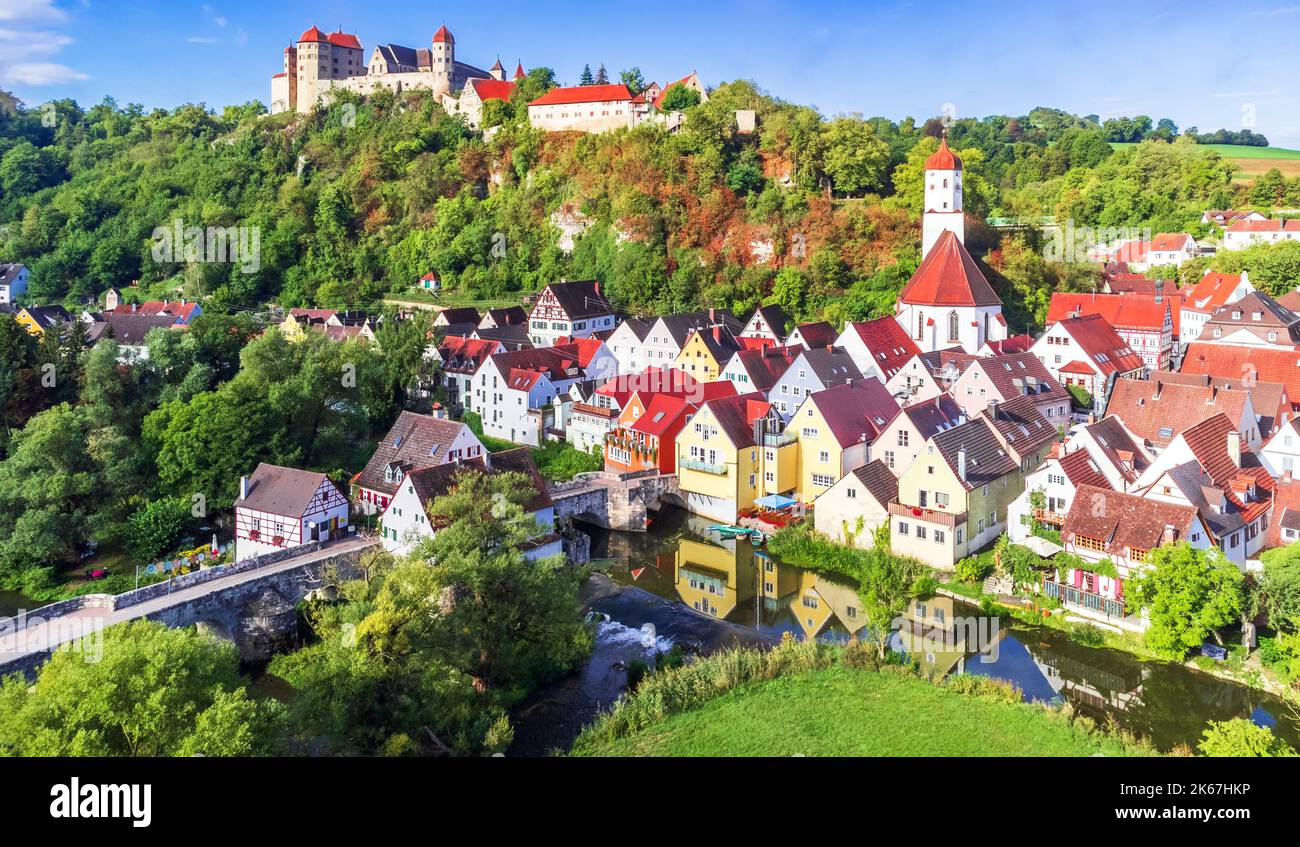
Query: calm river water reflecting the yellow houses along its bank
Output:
(731,580)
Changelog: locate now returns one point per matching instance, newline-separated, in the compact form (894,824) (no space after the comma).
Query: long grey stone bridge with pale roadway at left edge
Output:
(252,603)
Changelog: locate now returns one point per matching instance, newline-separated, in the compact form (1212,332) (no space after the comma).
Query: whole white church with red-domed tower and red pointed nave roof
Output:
(948,302)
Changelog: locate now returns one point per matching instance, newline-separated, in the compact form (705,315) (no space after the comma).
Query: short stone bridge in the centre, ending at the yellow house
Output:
(617,502)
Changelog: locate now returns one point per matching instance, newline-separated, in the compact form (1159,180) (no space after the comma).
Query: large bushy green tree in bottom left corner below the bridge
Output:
(155,692)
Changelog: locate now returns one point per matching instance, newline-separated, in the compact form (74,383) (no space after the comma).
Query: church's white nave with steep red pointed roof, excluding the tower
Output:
(948,302)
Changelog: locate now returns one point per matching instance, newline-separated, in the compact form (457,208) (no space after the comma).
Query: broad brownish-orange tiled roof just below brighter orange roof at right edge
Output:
(1158,411)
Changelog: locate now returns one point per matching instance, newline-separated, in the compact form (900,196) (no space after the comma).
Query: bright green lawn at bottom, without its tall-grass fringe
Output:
(846,713)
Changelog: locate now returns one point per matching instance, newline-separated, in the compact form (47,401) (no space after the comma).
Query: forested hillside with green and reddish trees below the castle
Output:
(361,199)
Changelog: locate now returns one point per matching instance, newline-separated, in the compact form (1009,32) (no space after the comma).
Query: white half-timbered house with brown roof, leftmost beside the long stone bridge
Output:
(281,509)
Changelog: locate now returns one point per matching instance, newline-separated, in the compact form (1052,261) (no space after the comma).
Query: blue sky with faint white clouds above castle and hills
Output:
(1203,64)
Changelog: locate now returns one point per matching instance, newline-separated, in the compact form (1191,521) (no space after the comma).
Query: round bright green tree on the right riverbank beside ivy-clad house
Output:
(1189,594)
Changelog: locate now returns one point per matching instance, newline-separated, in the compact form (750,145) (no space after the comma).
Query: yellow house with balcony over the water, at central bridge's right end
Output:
(720,461)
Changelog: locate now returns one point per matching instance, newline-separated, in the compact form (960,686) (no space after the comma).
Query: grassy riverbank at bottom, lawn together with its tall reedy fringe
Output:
(812,700)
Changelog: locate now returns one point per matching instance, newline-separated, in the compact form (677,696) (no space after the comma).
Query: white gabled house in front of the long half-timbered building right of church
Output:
(1086,351)
